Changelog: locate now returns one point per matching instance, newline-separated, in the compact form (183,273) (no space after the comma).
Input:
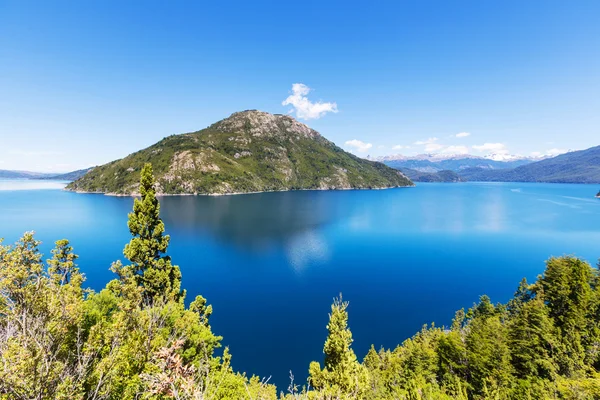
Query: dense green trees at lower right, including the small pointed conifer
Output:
(543,344)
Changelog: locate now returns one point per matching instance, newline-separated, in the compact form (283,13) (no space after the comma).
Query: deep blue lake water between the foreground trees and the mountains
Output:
(271,263)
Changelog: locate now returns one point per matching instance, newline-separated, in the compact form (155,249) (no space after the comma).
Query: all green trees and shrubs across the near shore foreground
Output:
(137,339)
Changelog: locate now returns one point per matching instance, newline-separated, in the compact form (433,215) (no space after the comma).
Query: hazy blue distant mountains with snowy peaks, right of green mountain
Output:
(573,167)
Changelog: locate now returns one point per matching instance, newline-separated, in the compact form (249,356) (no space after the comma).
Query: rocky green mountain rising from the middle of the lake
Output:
(250,151)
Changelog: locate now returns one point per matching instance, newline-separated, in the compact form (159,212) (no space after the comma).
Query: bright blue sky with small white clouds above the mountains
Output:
(86,82)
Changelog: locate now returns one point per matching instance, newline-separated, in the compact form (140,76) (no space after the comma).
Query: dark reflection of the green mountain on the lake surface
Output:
(254,221)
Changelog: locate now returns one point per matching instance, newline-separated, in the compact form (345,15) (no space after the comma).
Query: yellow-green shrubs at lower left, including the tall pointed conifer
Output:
(135,339)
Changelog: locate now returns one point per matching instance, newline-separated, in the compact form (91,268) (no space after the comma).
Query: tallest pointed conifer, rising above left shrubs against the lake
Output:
(152,269)
